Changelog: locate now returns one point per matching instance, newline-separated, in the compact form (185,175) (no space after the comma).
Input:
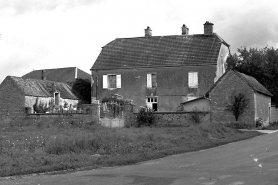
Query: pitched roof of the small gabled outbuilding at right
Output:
(251,81)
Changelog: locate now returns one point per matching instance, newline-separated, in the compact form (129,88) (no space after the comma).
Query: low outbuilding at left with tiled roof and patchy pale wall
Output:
(18,94)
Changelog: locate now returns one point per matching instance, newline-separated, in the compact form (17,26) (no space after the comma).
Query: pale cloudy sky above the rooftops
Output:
(45,34)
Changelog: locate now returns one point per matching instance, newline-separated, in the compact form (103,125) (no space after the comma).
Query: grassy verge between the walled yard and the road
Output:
(34,147)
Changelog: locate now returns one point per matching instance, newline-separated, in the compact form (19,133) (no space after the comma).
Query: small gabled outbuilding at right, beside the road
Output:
(232,83)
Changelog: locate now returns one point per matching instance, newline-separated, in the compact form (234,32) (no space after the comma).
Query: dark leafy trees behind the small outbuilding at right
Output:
(262,64)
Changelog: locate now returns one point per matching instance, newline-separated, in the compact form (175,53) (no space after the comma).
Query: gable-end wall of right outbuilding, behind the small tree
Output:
(220,95)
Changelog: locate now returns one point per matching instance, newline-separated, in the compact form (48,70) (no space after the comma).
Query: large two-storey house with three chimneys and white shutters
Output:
(160,71)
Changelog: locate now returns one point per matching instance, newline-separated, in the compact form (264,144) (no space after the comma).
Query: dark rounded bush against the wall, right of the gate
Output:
(145,117)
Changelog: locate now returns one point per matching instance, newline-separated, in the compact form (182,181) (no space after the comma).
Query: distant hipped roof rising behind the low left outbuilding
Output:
(68,74)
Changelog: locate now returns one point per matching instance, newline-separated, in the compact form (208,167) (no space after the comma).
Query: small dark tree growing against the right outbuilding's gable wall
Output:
(237,104)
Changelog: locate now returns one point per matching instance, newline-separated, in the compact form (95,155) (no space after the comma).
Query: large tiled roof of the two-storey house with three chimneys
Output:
(176,50)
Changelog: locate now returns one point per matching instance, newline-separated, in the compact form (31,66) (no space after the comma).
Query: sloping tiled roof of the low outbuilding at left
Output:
(43,88)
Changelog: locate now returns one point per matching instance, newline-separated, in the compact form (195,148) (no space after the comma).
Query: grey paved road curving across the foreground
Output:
(249,162)
